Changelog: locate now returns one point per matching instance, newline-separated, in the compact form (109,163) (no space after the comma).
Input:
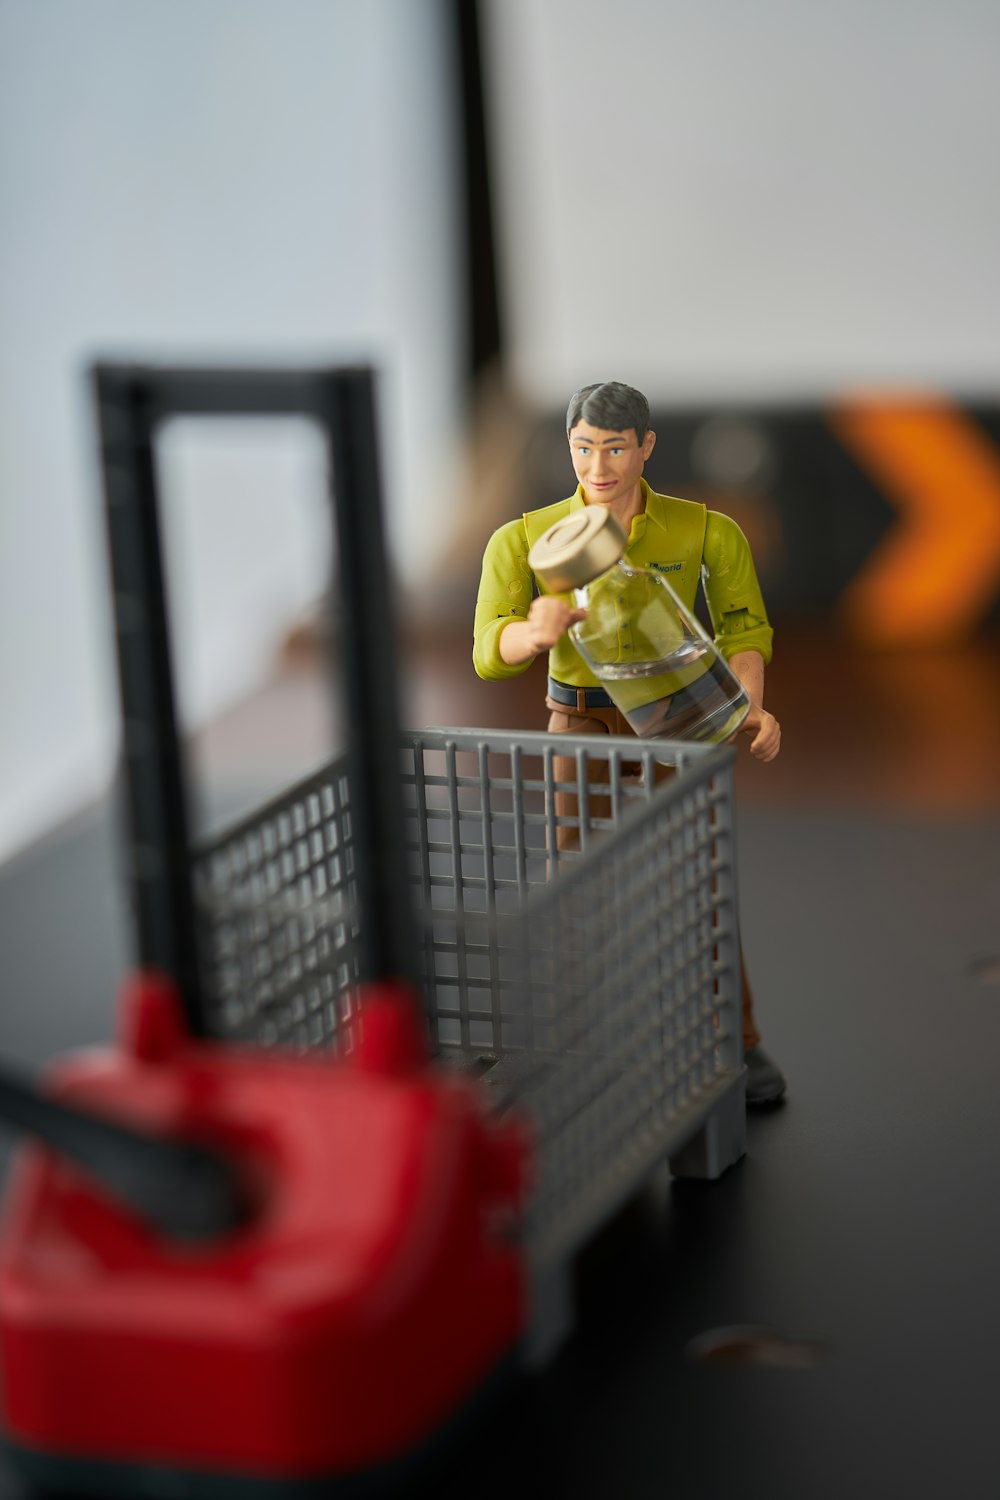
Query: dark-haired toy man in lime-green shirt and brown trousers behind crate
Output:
(608,427)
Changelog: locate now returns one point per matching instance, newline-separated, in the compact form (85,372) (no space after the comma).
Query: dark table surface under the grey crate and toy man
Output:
(863,1228)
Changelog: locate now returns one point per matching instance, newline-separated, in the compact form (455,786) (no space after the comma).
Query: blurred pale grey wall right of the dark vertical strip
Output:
(764,199)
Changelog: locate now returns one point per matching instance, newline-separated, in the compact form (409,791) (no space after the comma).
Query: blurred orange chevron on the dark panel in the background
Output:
(936,574)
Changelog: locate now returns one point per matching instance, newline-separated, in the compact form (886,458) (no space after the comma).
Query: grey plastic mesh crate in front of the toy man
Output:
(578,928)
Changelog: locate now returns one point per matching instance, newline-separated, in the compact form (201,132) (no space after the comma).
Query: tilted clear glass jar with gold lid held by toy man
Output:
(642,643)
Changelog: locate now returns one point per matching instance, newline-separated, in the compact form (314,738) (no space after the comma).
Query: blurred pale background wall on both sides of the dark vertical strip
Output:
(737,199)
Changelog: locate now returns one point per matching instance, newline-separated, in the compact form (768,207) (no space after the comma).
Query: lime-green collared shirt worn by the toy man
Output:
(660,539)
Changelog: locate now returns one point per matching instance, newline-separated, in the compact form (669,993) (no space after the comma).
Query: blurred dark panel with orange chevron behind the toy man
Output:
(822,512)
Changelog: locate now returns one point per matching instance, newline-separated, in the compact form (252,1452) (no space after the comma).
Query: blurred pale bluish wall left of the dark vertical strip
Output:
(191,179)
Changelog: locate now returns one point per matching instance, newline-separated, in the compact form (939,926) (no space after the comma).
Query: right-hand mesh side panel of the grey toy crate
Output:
(626,982)
